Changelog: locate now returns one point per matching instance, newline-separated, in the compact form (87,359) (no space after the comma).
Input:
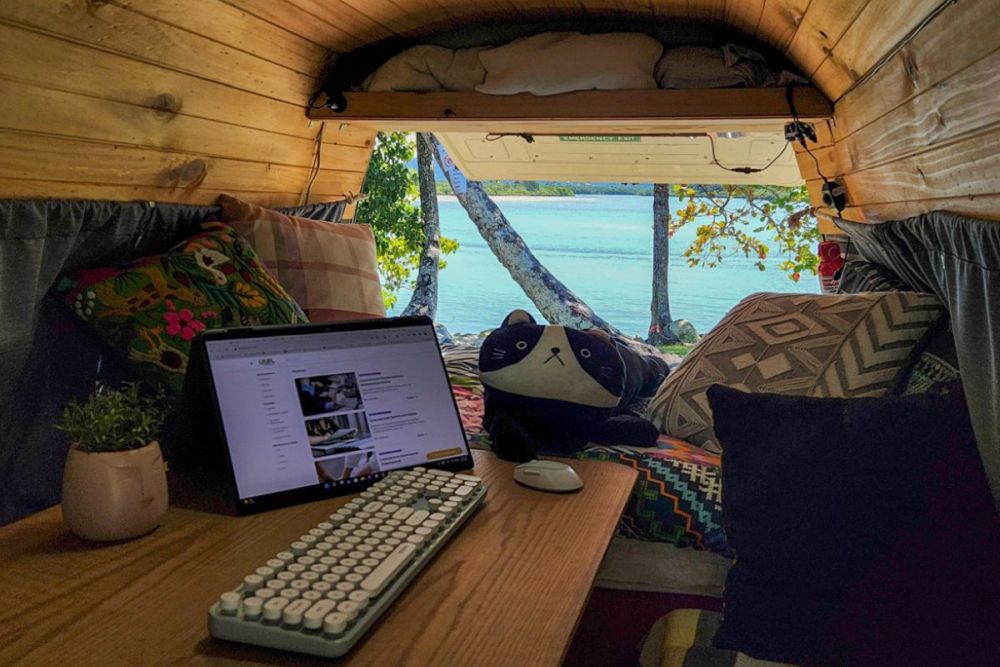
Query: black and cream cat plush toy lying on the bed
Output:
(551,390)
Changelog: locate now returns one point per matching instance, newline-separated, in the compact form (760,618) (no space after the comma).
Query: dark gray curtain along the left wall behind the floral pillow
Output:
(46,357)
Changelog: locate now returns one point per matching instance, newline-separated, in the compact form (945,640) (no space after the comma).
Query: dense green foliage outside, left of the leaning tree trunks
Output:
(391,208)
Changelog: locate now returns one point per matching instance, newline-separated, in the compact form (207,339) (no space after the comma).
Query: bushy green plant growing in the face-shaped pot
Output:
(113,420)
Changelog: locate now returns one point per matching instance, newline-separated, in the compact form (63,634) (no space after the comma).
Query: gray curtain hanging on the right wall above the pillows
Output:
(958,259)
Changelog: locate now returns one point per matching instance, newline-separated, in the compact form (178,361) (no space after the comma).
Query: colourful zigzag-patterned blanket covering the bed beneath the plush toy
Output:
(677,496)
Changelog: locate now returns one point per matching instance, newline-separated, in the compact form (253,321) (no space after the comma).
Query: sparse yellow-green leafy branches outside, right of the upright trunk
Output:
(748,215)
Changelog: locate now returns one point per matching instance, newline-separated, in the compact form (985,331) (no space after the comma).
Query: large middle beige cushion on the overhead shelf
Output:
(560,62)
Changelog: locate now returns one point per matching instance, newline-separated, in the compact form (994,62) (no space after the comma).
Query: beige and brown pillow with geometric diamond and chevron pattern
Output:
(844,346)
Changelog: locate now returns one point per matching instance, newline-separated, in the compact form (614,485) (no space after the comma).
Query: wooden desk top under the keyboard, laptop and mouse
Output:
(508,590)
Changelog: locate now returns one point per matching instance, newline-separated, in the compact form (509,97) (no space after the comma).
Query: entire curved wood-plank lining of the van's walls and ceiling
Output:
(182,99)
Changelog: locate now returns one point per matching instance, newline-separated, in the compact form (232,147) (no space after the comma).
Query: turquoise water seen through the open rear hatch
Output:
(600,247)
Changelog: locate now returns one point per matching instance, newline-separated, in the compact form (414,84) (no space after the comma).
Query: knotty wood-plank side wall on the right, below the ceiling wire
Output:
(920,133)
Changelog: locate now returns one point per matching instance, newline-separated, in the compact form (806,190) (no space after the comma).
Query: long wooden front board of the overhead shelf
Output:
(600,111)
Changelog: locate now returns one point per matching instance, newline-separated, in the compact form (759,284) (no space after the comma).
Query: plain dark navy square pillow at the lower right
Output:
(864,530)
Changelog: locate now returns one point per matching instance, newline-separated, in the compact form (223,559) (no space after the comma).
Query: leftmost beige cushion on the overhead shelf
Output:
(429,68)
